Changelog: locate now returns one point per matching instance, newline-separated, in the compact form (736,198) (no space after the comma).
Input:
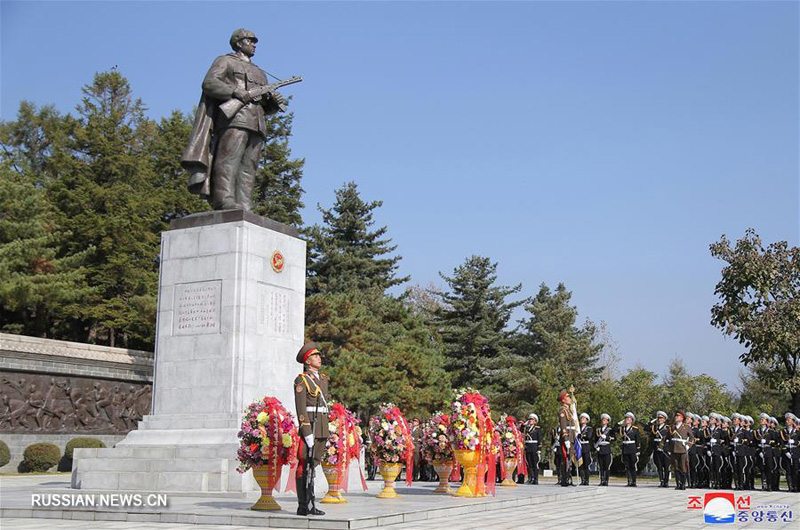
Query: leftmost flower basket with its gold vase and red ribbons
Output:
(268,441)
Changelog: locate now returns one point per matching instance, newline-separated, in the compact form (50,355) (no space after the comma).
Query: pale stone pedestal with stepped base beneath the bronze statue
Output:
(230,321)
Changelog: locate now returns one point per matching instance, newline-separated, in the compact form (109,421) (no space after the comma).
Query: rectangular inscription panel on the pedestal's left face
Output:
(197,308)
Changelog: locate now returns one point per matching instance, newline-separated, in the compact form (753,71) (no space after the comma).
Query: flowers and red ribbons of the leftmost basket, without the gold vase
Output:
(268,435)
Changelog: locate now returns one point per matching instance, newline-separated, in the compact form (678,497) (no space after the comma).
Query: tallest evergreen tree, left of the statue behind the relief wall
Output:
(106,199)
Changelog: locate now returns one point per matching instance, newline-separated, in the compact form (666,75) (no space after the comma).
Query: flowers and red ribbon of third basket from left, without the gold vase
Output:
(391,438)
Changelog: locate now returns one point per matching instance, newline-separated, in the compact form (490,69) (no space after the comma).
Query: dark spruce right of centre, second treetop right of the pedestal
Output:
(472,322)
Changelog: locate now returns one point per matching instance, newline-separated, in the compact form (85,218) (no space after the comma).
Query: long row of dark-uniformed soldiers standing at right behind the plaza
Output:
(703,452)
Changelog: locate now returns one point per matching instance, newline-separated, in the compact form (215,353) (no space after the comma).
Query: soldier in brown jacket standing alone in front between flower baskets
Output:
(311,405)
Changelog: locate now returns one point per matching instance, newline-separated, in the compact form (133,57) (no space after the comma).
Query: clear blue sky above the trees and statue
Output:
(600,144)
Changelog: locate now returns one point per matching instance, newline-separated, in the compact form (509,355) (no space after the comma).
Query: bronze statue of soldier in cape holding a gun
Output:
(223,151)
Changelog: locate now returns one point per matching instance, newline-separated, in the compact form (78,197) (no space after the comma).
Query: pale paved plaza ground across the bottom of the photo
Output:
(544,506)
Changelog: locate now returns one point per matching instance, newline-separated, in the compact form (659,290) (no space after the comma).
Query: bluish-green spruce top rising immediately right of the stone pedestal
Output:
(345,253)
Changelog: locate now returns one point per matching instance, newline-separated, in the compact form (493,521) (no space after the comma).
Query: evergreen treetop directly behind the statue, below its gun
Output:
(278,191)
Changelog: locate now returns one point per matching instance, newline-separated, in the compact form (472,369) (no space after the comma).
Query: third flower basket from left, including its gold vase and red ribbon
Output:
(391,446)
